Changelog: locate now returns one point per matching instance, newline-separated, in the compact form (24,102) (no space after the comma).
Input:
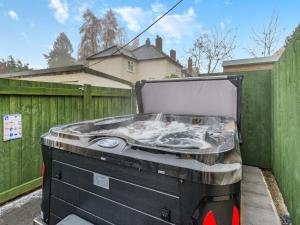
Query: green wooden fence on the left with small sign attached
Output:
(44,105)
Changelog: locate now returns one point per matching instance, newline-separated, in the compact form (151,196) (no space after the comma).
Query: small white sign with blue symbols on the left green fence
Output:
(12,127)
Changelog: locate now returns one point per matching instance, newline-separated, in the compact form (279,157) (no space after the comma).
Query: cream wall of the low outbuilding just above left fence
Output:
(79,78)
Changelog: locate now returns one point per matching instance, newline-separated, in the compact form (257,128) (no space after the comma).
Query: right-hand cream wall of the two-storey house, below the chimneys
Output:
(156,69)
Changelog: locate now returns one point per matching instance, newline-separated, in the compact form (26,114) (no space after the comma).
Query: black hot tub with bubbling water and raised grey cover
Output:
(176,162)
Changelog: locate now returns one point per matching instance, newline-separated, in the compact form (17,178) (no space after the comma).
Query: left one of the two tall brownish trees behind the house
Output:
(90,31)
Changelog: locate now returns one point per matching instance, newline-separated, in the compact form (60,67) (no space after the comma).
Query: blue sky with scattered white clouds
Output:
(29,28)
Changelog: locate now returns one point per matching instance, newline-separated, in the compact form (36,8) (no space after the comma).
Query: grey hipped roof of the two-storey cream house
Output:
(144,52)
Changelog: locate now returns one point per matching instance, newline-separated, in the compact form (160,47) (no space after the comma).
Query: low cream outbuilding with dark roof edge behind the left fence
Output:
(76,74)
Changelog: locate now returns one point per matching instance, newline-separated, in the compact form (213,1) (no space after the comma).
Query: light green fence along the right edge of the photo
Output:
(286,125)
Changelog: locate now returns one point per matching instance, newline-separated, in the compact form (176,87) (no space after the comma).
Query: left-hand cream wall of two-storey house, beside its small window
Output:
(115,66)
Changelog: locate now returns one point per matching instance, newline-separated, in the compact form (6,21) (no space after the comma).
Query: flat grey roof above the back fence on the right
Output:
(249,61)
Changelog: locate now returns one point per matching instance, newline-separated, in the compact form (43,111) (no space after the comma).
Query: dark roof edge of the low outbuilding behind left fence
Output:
(62,70)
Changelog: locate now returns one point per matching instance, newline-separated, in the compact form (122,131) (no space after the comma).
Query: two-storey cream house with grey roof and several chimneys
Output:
(142,63)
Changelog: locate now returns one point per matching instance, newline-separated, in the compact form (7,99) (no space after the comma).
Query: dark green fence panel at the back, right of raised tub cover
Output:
(256,118)
